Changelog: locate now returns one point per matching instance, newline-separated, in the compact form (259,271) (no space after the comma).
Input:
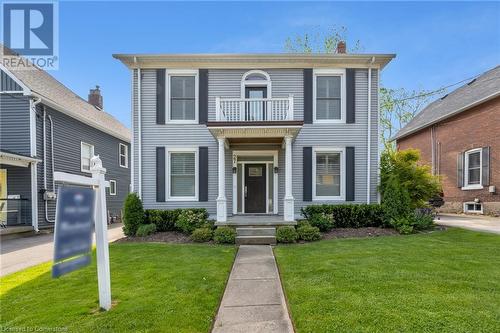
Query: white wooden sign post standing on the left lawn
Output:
(101,235)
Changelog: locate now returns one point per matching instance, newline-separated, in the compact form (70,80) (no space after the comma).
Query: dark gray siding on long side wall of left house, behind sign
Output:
(68,135)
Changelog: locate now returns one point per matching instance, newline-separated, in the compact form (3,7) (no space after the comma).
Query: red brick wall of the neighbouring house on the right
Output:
(477,127)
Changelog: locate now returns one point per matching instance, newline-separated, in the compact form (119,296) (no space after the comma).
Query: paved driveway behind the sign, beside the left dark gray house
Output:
(20,253)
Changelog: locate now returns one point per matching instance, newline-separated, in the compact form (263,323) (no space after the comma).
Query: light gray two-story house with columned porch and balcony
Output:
(255,134)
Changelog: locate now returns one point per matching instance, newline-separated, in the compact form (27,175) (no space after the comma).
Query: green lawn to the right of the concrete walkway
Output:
(438,282)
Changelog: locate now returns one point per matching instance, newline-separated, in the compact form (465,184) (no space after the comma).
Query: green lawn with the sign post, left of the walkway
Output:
(155,288)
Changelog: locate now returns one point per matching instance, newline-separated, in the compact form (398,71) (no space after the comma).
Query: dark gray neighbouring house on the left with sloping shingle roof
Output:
(45,128)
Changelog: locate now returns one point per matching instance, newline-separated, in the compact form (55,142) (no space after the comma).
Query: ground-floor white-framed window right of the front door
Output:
(328,168)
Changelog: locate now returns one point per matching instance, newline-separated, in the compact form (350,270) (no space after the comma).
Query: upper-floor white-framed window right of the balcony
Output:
(329,95)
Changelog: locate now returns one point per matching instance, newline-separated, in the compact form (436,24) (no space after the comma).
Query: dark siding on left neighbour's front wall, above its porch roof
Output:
(15,123)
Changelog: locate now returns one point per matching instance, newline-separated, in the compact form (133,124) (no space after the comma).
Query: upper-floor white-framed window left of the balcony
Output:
(182,92)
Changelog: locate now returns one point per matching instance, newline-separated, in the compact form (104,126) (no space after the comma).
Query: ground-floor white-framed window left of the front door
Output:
(183,174)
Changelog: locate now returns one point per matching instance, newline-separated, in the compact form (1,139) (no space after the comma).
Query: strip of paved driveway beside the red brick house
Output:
(471,222)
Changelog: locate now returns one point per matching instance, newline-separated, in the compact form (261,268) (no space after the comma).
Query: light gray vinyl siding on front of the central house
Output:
(227,83)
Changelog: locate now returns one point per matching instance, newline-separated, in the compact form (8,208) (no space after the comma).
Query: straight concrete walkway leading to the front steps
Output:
(253,300)
